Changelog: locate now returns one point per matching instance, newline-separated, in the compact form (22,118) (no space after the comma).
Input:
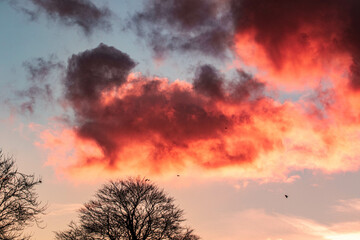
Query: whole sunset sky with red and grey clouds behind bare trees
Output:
(246,100)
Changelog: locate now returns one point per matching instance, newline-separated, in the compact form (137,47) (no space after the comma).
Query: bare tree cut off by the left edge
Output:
(19,205)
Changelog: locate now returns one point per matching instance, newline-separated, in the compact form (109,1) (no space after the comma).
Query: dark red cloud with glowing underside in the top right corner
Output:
(300,39)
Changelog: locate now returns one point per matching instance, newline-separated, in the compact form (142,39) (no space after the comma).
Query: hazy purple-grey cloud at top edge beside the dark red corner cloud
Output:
(184,25)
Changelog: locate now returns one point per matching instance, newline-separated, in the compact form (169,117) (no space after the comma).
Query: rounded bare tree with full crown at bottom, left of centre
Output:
(132,209)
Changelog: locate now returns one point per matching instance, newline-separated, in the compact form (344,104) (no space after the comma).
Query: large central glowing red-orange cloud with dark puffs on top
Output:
(127,123)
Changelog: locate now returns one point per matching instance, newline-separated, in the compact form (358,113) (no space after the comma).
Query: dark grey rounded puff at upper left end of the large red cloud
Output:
(93,71)
